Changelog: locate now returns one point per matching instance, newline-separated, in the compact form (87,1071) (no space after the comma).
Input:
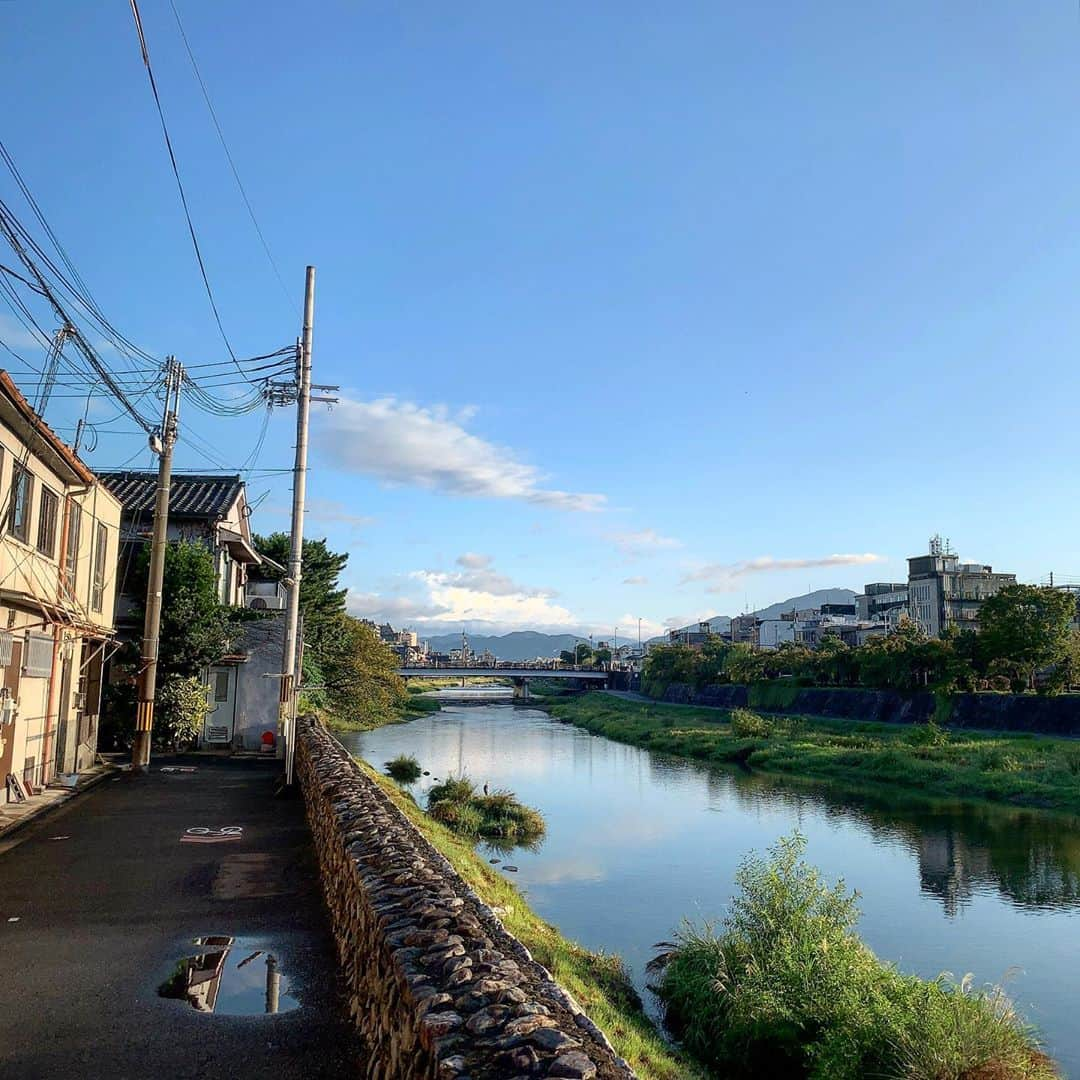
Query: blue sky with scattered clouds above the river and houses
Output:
(639,310)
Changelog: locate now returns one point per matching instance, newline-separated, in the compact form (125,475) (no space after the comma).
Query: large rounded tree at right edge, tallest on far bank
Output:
(1025,629)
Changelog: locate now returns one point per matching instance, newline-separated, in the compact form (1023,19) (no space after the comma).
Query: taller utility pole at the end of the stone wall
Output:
(288,705)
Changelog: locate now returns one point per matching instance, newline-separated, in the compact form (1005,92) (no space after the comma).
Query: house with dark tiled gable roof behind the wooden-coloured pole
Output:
(205,509)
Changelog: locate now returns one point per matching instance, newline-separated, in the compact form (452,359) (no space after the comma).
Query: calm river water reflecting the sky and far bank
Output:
(638,842)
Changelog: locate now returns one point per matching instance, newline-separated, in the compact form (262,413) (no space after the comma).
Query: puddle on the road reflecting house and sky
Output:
(232,977)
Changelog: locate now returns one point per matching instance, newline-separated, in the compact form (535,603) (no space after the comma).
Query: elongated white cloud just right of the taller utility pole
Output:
(402,443)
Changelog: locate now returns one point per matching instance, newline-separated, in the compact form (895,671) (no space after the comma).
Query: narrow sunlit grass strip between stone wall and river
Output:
(598,981)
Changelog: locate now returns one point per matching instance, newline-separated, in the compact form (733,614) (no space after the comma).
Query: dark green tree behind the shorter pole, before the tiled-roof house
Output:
(196,629)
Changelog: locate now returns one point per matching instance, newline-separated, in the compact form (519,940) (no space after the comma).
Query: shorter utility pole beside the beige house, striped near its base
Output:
(152,629)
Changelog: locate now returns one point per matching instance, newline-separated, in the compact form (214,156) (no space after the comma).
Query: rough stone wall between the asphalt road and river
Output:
(437,985)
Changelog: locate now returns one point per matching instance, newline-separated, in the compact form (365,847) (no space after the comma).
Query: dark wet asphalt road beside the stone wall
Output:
(106,901)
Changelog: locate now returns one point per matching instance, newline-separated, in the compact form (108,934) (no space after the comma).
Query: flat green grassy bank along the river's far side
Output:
(1018,769)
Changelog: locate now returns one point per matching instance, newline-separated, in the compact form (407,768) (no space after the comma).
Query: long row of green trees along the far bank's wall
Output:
(1025,643)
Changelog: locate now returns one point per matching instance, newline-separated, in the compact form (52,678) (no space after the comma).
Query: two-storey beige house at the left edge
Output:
(60,535)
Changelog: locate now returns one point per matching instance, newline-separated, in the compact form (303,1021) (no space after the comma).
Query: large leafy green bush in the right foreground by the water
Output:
(787,989)
